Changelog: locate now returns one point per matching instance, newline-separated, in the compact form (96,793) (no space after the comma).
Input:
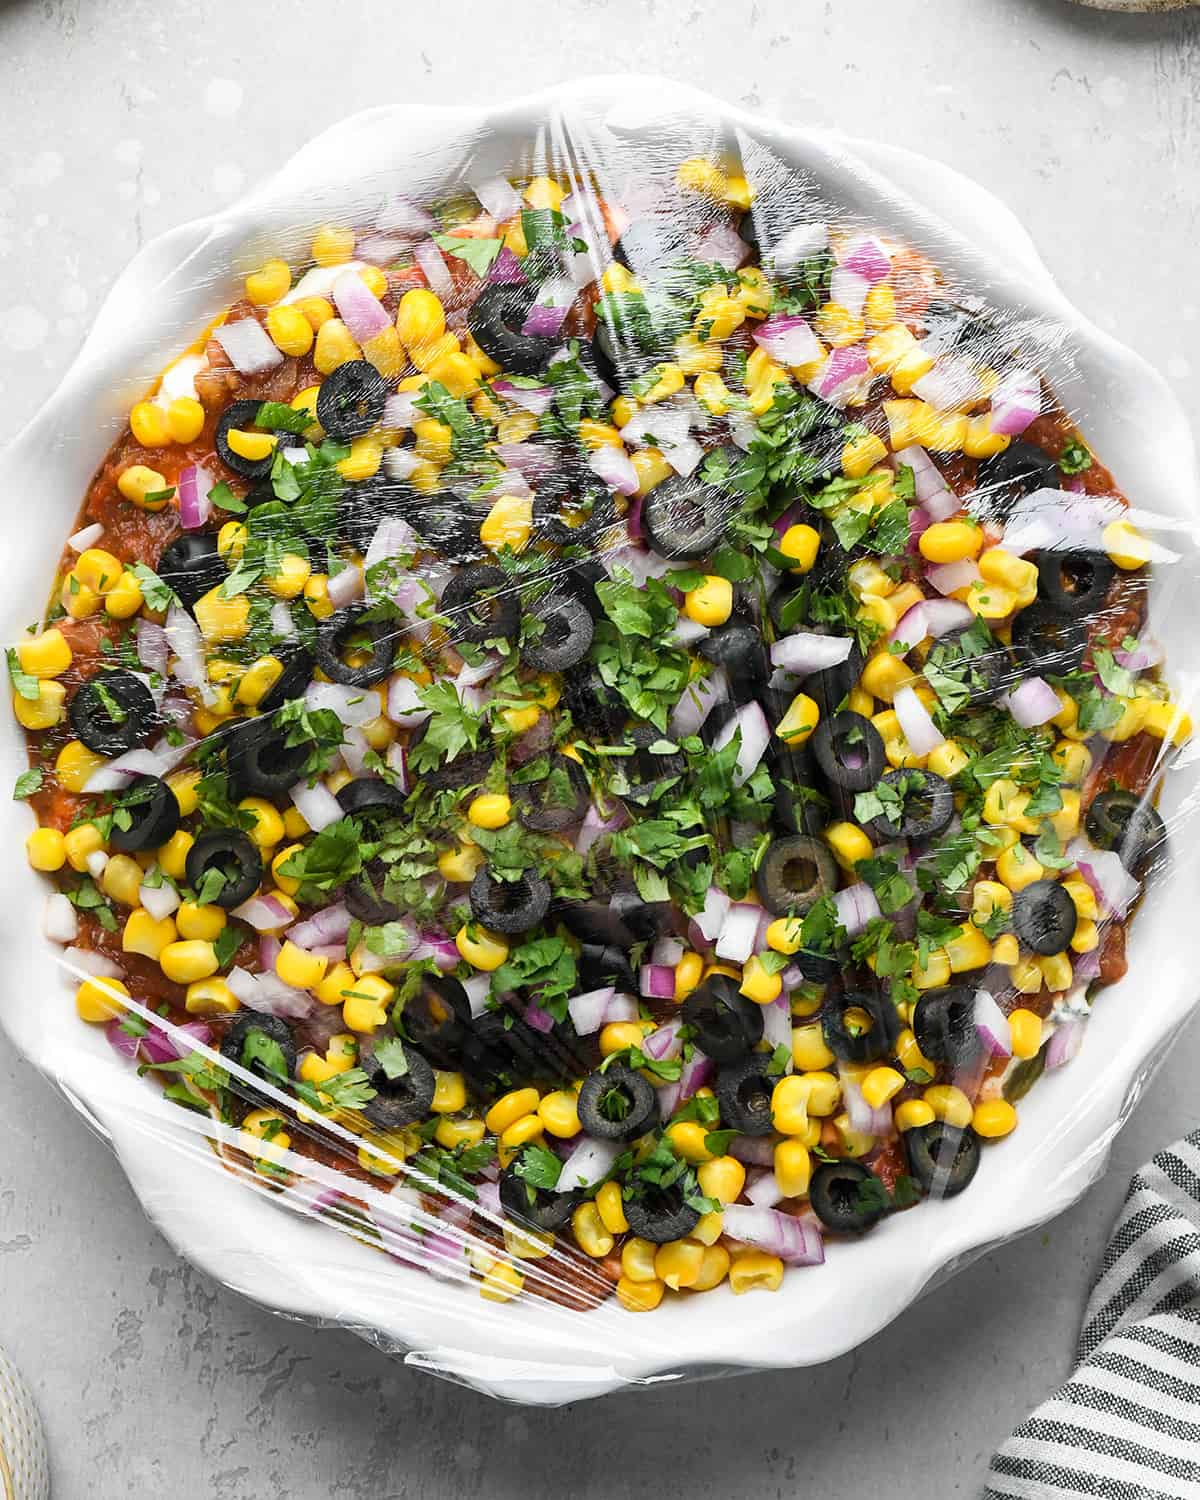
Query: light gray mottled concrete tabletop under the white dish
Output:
(125,118)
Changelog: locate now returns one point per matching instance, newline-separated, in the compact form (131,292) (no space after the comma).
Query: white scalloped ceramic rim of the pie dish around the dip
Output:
(532,1352)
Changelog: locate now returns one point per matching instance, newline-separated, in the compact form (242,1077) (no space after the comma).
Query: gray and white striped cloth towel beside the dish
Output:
(1127,1424)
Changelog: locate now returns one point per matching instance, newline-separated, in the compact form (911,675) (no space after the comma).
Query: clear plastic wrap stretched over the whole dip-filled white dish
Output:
(554,803)
